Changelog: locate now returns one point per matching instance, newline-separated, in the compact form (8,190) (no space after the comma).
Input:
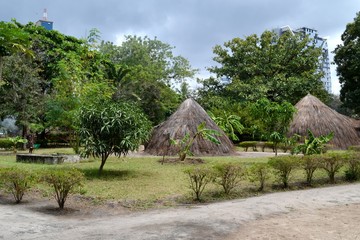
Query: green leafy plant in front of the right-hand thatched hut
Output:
(313,145)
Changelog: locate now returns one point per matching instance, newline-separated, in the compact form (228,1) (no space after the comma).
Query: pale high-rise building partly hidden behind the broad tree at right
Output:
(319,42)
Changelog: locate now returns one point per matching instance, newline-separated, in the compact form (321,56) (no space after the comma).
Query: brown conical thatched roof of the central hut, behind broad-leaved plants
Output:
(185,120)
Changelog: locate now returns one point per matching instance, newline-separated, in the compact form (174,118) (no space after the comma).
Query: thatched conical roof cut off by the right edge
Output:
(321,120)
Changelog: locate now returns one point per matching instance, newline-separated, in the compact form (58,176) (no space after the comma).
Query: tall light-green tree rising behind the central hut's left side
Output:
(146,71)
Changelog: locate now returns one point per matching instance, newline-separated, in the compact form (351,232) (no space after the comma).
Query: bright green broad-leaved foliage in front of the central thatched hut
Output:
(186,142)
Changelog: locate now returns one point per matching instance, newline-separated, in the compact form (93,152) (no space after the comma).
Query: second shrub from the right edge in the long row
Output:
(332,163)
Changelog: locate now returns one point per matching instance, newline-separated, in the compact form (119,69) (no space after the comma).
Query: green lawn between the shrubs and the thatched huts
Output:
(144,180)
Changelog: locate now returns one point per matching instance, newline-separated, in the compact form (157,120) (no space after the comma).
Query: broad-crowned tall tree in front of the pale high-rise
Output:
(279,68)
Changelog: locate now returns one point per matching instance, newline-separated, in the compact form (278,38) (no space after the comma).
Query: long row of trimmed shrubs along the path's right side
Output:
(229,175)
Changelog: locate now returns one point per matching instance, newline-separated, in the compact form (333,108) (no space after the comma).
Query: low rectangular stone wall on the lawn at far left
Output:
(47,158)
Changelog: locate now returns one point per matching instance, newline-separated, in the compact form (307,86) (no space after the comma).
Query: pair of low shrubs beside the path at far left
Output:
(62,180)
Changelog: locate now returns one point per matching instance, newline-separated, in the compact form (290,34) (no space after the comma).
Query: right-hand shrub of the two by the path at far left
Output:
(64,181)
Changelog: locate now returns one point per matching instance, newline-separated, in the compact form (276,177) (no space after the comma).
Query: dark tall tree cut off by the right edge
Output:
(348,65)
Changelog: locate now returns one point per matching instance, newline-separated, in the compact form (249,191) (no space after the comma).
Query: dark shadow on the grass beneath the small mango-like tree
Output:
(108,174)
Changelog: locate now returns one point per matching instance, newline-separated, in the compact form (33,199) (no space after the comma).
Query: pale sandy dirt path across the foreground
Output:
(326,213)
